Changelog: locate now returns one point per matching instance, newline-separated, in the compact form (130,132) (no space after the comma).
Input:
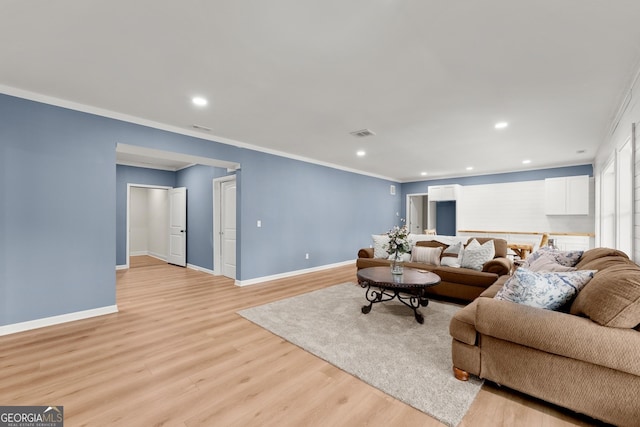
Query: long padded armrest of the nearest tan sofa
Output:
(560,333)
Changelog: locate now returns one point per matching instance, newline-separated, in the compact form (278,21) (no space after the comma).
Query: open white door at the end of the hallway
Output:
(178,227)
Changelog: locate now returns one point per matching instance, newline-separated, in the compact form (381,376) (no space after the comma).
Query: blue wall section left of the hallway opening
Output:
(58,211)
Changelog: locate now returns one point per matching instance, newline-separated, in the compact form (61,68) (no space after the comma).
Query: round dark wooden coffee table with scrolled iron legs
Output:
(408,288)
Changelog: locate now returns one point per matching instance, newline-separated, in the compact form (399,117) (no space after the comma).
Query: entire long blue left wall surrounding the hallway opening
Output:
(61,215)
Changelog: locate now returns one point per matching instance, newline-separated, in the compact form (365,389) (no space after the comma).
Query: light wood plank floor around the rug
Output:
(177,354)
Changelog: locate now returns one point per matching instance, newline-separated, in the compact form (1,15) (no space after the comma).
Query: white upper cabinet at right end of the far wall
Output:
(567,195)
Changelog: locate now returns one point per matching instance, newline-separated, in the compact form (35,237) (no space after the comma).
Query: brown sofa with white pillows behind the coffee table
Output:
(459,283)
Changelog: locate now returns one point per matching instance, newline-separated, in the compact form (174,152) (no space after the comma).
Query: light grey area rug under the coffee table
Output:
(386,348)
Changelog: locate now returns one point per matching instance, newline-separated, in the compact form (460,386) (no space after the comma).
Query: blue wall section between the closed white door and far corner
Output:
(306,208)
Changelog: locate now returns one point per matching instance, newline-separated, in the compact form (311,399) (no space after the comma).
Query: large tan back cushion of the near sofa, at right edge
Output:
(612,298)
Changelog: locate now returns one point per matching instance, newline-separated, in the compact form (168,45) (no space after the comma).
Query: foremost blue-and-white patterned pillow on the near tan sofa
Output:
(548,290)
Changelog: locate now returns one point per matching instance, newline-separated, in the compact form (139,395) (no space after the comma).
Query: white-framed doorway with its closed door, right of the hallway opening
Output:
(224,226)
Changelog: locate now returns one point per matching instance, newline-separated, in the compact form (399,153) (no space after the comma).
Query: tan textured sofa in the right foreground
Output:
(586,358)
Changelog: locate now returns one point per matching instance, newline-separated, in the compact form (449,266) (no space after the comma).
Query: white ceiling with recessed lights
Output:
(429,77)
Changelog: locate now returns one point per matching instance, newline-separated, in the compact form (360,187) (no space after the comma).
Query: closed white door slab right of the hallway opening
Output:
(228,228)
